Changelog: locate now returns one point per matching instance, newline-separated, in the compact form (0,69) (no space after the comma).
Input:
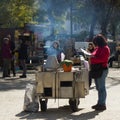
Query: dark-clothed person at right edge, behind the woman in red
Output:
(115,56)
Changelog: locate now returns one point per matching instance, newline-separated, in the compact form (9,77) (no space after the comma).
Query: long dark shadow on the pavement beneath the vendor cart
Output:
(60,113)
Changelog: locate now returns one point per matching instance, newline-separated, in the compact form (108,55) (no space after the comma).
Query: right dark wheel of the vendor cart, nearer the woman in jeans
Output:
(74,104)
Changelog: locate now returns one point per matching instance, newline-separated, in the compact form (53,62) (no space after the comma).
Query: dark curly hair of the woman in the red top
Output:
(100,40)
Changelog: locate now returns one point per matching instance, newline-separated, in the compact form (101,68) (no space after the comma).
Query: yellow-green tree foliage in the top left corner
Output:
(16,12)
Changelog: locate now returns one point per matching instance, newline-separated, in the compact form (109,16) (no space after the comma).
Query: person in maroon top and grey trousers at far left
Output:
(6,56)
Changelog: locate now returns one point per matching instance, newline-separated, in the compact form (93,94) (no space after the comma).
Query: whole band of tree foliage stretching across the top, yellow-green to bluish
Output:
(103,13)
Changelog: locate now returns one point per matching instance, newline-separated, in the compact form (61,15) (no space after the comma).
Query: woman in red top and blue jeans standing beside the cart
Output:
(100,56)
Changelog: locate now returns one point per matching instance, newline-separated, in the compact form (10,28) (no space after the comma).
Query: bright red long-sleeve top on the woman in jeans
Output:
(100,55)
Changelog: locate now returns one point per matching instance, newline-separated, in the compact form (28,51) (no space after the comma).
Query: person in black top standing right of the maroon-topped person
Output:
(23,55)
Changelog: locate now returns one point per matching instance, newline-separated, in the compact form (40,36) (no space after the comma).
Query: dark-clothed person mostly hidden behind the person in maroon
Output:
(12,48)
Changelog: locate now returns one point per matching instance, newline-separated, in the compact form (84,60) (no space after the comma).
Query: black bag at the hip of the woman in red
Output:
(96,71)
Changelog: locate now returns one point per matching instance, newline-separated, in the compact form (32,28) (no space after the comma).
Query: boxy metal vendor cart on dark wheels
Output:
(62,85)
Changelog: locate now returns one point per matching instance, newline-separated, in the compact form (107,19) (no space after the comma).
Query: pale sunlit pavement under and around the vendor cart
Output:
(12,96)
